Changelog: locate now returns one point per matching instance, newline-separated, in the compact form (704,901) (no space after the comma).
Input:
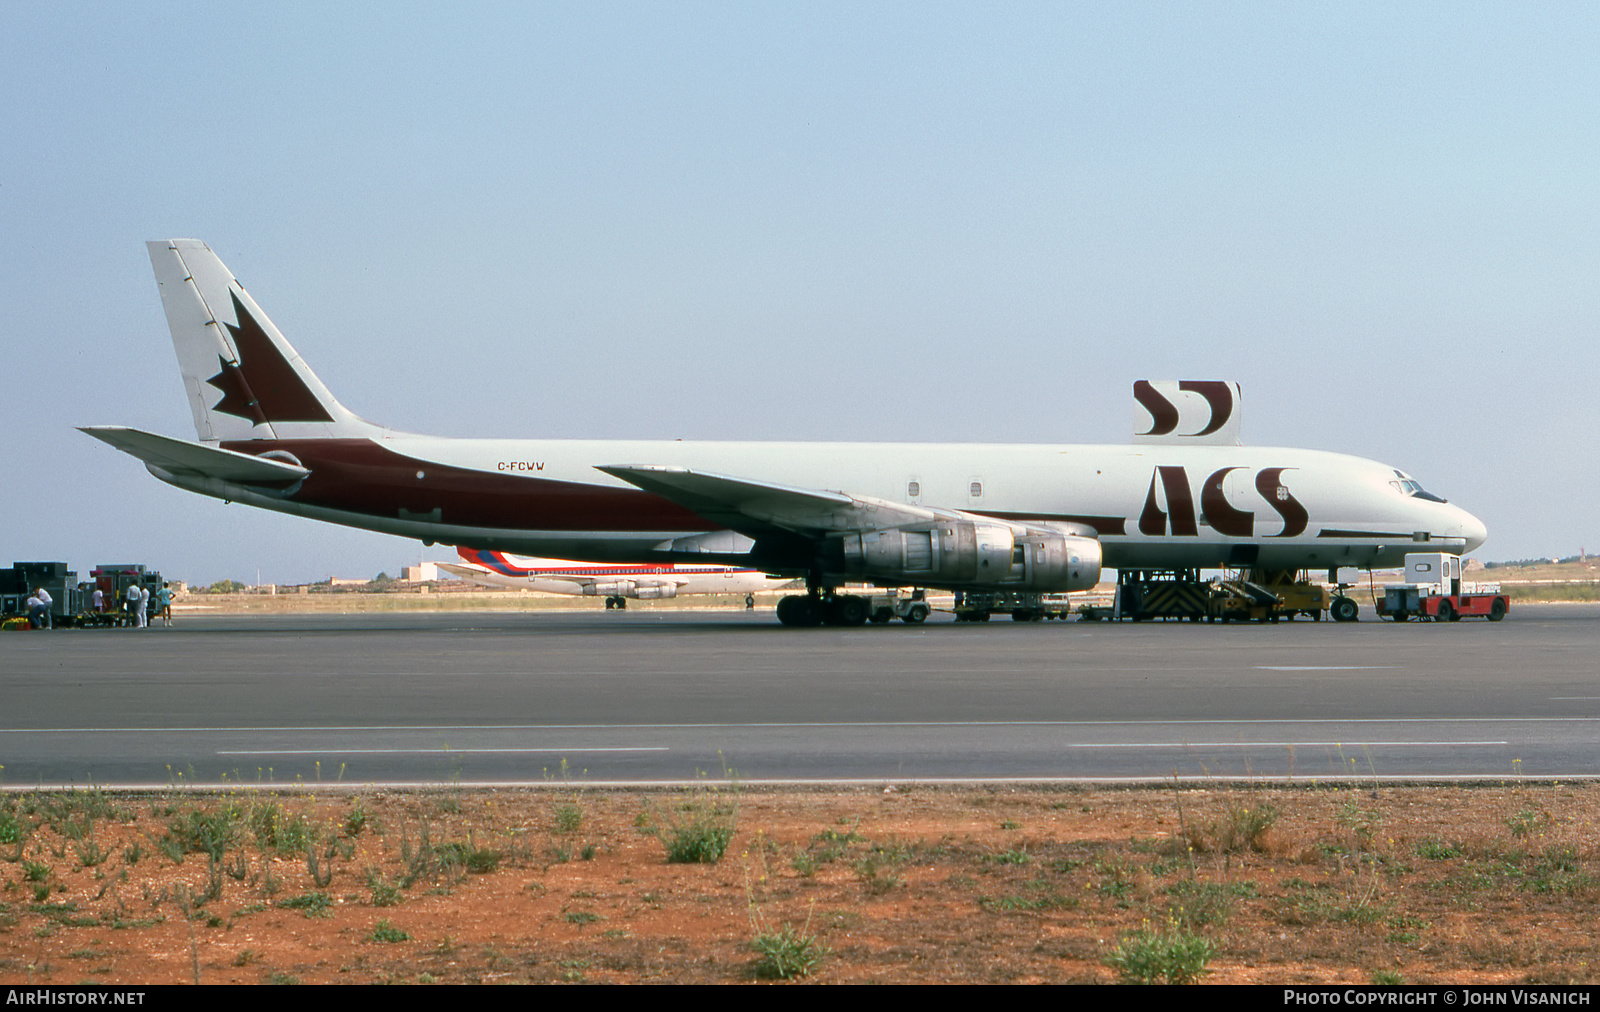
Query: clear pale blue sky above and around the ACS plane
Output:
(807,222)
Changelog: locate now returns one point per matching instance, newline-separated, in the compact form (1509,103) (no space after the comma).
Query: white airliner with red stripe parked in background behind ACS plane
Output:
(610,580)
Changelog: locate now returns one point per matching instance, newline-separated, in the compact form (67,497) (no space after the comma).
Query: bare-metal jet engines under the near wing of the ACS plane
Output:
(970,553)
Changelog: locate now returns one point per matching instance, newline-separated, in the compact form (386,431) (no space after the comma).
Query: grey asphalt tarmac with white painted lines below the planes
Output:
(642,697)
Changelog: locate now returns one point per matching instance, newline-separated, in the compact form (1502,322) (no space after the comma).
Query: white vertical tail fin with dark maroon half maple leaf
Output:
(242,377)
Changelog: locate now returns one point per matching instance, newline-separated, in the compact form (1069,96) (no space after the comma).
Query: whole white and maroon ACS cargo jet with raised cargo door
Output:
(982,520)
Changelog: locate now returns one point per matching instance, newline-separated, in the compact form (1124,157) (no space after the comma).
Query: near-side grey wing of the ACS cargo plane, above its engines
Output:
(762,508)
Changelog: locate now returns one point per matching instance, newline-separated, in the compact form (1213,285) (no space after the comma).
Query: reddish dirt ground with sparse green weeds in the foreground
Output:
(913,885)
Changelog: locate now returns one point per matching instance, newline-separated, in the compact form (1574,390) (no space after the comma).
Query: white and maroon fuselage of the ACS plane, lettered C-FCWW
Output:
(1153,507)
